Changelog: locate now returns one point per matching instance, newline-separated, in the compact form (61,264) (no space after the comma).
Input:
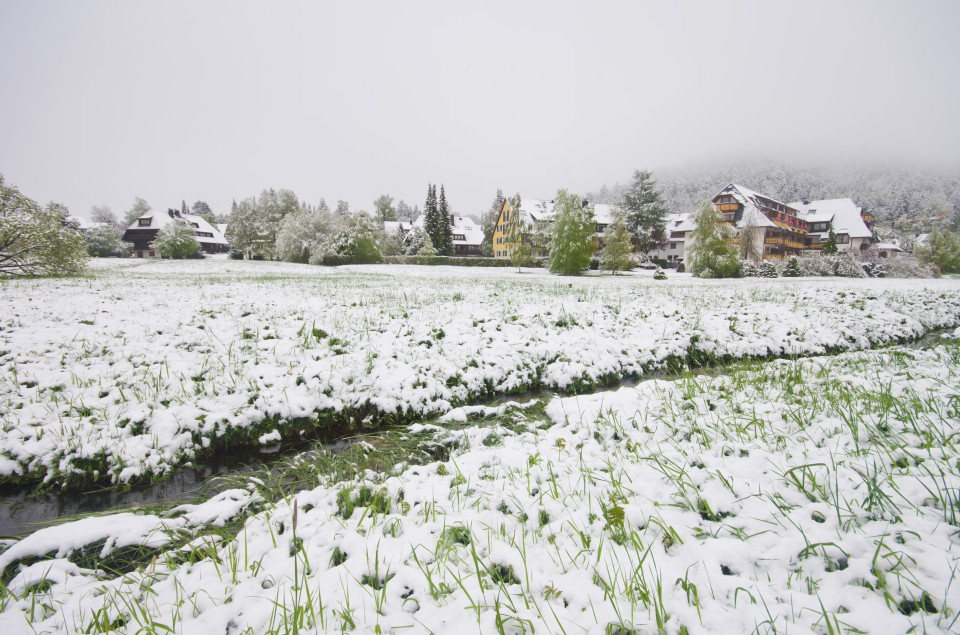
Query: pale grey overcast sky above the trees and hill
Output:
(104,101)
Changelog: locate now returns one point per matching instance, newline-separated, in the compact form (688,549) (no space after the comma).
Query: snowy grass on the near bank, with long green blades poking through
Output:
(818,495)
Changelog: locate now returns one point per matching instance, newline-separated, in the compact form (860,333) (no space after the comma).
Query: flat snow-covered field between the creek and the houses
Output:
(144,365)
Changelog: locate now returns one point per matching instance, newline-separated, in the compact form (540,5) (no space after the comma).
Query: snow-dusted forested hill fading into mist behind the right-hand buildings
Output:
(890,193)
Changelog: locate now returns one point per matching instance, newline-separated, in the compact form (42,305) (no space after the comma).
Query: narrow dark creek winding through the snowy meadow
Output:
(24,511)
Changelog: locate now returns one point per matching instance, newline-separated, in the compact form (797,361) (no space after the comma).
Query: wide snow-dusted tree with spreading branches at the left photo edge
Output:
(37,240)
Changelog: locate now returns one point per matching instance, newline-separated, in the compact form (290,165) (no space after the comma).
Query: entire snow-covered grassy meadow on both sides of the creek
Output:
(819,493)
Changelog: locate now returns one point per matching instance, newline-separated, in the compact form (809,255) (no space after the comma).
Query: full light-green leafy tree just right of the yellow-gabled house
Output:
(572,238)
